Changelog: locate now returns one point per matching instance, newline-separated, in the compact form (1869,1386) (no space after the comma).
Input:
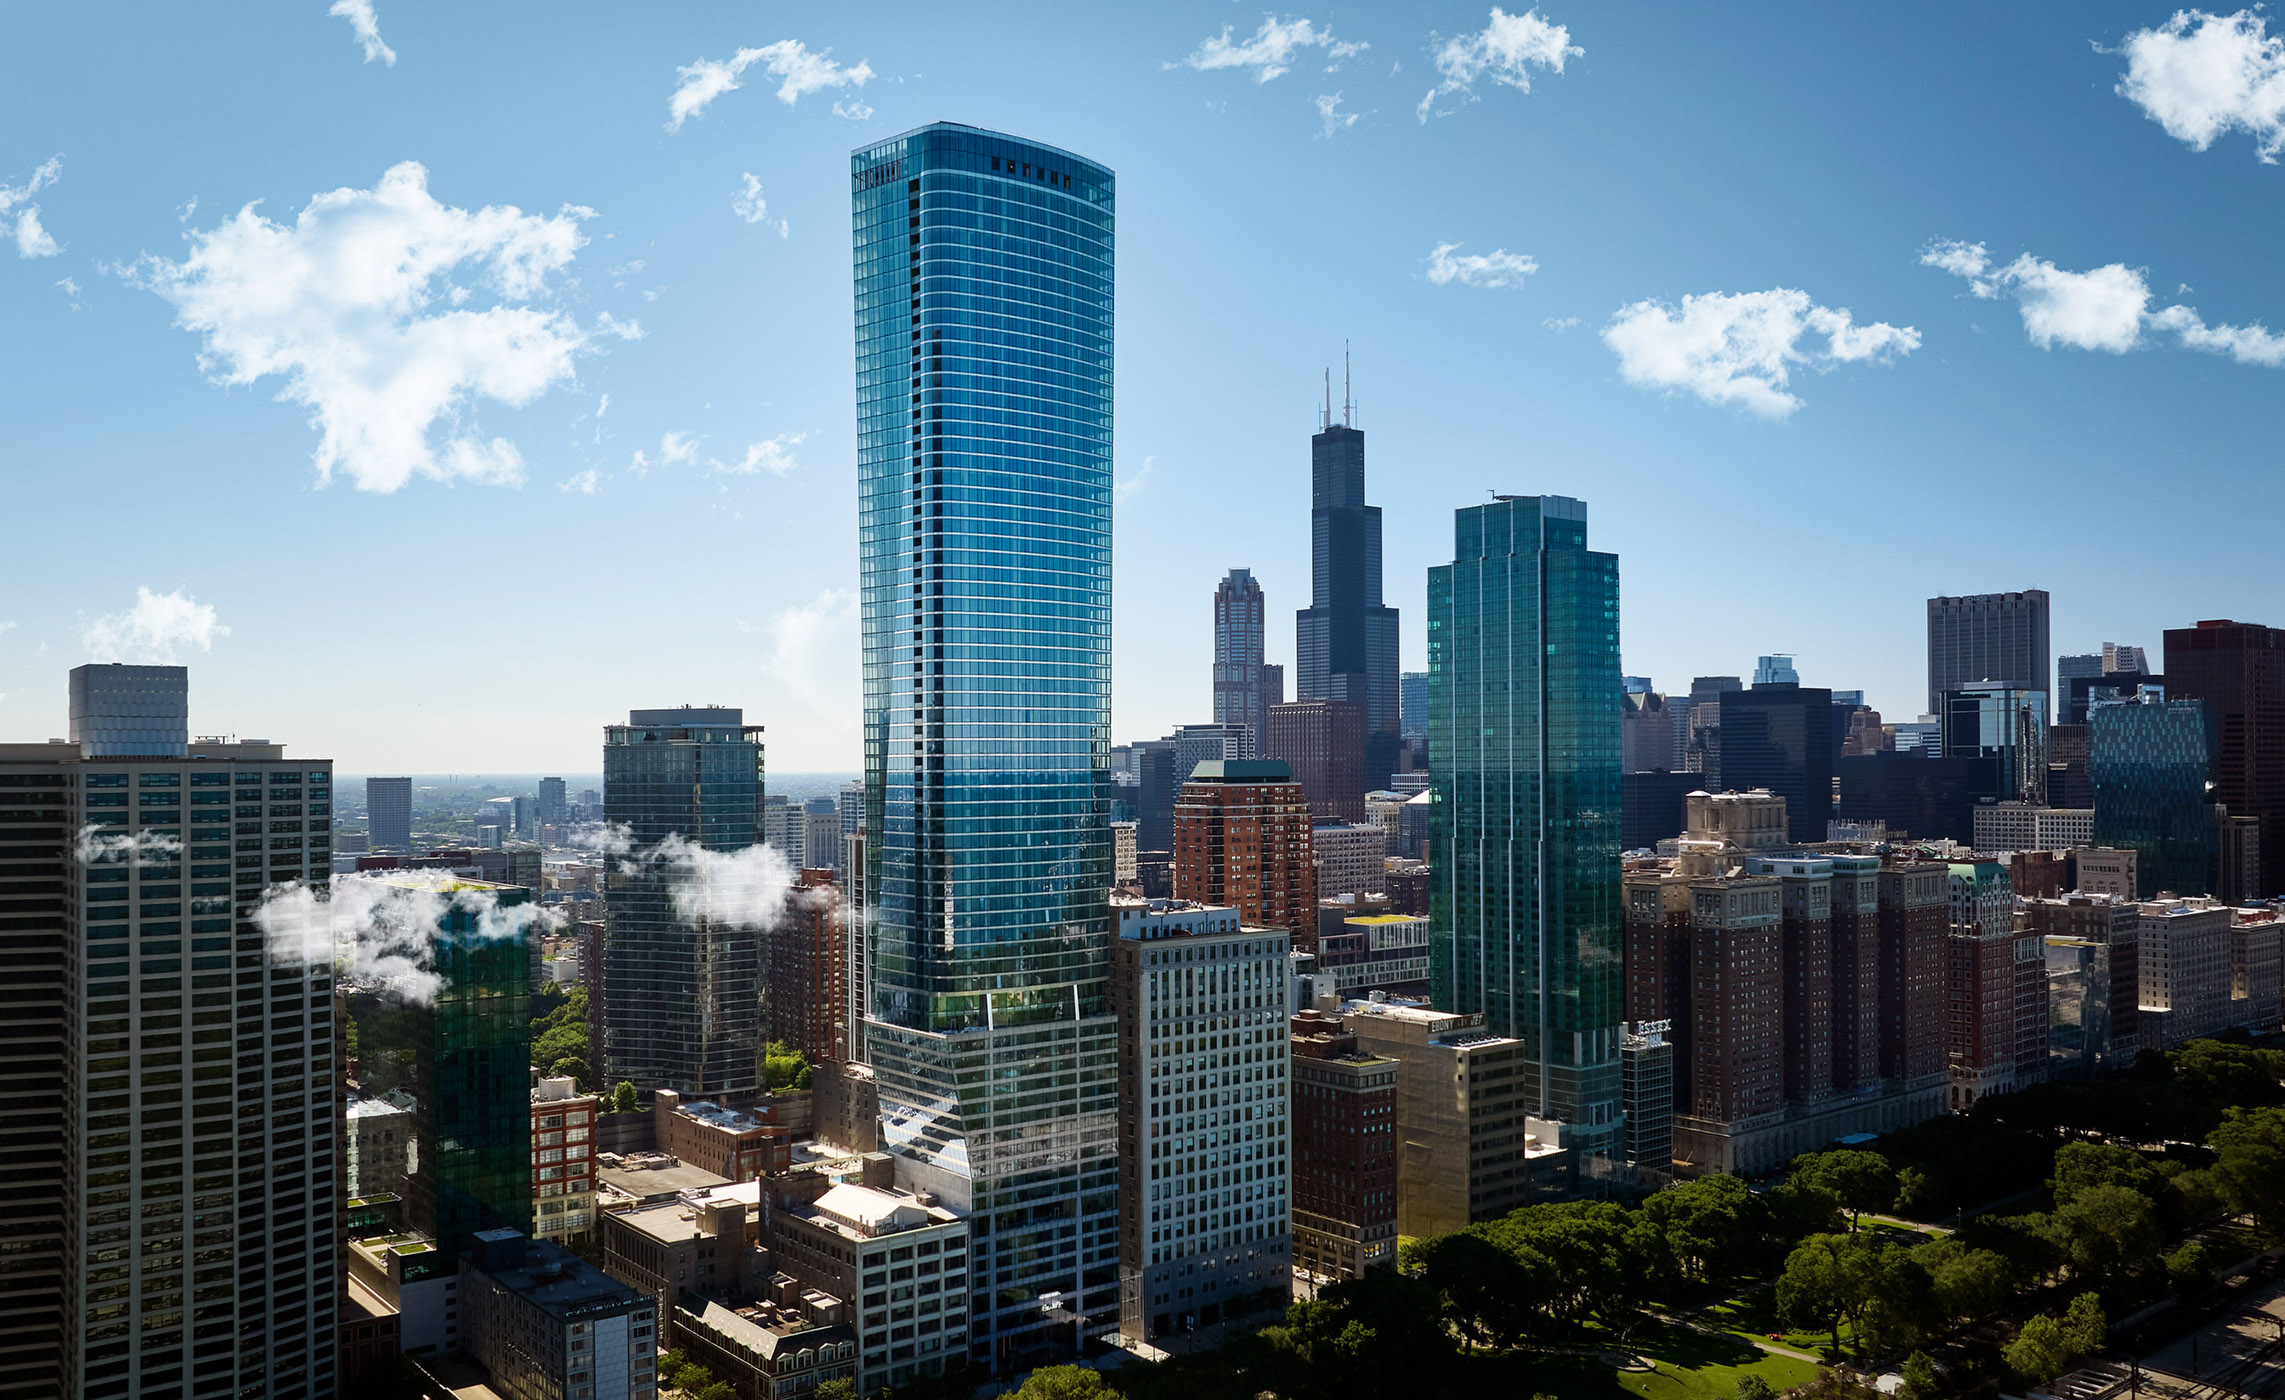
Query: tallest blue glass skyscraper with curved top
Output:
(984,446)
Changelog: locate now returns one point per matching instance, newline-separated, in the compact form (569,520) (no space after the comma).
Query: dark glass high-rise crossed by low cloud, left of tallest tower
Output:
(682,990)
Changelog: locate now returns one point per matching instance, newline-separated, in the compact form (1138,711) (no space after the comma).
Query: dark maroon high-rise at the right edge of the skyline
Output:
(2238,670)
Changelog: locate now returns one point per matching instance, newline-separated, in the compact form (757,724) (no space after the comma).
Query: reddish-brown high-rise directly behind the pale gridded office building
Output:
(1242,839)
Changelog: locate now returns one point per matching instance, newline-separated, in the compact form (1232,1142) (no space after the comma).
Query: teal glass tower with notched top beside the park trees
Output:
(1523,721)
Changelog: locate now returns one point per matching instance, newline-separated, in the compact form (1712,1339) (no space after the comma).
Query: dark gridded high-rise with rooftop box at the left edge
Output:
(138,960)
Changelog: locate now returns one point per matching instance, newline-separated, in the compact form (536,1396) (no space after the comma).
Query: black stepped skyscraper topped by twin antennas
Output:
(1345,641)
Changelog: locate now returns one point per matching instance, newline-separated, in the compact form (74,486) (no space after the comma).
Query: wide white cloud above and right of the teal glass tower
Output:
(1740,351)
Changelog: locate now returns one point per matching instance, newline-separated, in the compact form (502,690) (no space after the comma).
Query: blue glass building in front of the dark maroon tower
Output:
(2147,766)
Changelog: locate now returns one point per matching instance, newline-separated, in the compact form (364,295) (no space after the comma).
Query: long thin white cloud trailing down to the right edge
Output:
(2101,309)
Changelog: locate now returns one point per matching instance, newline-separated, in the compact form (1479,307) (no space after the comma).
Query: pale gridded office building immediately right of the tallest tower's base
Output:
(1205,1218)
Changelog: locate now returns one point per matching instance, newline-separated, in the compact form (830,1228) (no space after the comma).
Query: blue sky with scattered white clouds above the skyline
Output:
(442,383)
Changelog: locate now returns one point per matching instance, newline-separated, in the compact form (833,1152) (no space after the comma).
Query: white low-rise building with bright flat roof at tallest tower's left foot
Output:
(904,1266)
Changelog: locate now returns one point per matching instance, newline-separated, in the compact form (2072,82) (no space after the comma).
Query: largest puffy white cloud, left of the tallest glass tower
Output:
(344,307)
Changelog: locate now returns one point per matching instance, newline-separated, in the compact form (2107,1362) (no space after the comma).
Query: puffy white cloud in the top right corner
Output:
(2204,77)
